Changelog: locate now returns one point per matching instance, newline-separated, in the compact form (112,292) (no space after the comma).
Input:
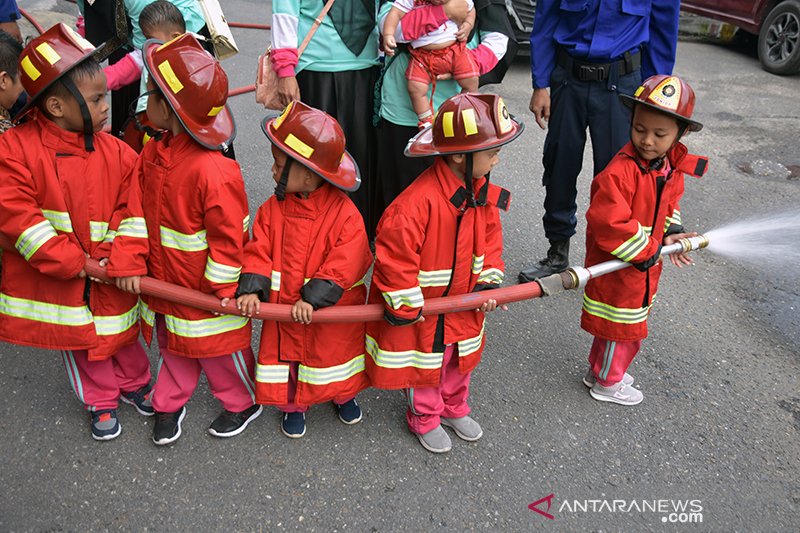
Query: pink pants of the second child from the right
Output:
(427,404)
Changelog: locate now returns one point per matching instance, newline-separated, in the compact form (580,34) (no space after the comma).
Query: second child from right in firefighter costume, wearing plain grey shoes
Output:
(441,236)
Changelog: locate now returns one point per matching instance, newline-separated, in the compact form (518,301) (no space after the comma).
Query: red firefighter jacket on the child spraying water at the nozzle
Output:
(627,220)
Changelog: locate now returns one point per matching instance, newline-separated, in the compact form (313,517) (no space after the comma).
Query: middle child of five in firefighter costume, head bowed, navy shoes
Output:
(309,250)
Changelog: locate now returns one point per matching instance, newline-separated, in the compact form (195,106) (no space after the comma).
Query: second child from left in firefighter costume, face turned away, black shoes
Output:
(194,204)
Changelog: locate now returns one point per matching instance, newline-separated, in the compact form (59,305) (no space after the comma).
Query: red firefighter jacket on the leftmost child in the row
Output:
(60,204)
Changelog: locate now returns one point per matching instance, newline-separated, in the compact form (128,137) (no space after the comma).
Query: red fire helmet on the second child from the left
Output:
(195,86)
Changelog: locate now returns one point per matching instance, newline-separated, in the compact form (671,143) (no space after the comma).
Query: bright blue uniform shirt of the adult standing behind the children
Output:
(602,31)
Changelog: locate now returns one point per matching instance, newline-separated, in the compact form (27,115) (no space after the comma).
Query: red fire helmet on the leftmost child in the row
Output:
(47,58)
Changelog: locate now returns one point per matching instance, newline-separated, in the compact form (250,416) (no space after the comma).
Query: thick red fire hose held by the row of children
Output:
(344,313)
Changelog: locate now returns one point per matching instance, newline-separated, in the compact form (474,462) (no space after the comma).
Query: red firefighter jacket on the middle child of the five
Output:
(313,248)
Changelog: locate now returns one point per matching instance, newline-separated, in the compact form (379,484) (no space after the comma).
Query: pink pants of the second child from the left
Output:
(230,377)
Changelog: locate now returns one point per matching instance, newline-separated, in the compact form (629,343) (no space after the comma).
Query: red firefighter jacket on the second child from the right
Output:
(429,244)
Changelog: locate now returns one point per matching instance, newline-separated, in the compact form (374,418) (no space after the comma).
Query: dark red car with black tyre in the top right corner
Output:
(776,22)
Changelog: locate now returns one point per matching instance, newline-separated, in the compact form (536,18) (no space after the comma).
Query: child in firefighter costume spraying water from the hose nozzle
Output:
(634,209)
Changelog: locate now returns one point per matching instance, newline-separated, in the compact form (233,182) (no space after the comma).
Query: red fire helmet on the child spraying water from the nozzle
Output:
(668,94)
